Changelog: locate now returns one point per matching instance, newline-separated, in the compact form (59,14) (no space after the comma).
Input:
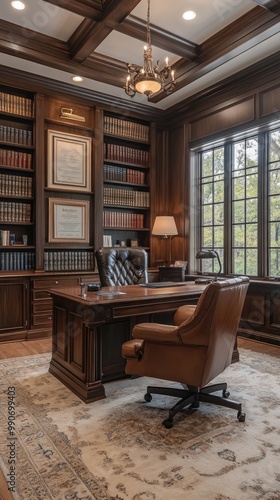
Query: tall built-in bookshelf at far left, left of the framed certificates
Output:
(17,238)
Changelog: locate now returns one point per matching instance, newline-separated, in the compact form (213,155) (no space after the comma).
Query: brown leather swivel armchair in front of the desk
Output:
(194,350)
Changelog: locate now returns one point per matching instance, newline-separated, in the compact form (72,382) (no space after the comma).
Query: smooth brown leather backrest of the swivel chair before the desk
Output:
(215,322)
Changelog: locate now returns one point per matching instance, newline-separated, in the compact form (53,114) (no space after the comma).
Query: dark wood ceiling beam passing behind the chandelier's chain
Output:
(137,28)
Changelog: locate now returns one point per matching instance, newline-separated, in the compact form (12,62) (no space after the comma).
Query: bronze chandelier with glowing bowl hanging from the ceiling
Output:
(149,79)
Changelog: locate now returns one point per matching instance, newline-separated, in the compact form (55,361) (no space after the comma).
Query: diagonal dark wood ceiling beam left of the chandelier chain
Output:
(83,42)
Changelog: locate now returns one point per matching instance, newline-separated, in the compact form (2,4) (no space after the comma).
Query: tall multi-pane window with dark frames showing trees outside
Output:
(239,205)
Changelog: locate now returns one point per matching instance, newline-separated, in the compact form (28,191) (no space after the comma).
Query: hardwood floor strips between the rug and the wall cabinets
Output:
(16,349)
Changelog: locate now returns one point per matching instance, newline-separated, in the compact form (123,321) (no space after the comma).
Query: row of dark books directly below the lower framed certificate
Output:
(68,261)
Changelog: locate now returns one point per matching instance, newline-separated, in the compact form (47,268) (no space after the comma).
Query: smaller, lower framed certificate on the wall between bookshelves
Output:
(68,221)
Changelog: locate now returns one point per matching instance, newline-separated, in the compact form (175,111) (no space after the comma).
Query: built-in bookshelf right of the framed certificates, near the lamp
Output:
(126,192)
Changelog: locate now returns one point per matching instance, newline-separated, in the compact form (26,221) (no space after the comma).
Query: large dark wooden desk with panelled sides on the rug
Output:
(88,332)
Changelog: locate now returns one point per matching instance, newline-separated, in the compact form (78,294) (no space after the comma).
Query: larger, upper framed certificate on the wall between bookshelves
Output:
(69,162)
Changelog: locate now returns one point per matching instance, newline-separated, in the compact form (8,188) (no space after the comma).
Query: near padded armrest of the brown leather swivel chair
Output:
(156,332)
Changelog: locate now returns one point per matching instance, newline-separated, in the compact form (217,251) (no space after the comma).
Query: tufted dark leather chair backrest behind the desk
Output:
(122,266)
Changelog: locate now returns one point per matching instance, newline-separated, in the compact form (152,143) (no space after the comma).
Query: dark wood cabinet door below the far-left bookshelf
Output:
(14,307)
